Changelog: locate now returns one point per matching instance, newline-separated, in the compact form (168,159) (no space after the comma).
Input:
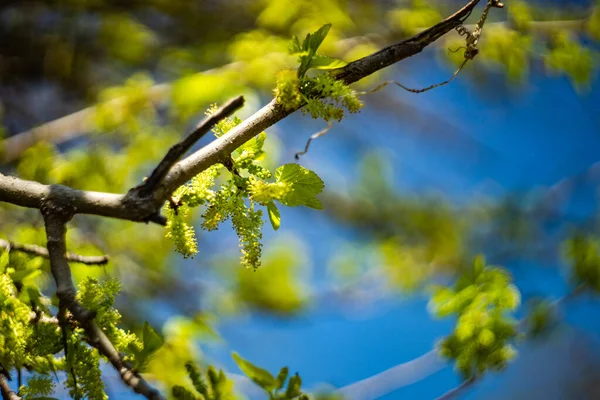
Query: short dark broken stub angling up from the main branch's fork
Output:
(179,149)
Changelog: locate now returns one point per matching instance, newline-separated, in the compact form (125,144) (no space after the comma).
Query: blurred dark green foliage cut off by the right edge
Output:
(584,255)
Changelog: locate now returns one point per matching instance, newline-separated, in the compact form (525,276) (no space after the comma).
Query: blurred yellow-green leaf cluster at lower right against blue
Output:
(482,299)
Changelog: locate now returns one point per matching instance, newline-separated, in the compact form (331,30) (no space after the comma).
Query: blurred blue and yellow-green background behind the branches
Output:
(504,161)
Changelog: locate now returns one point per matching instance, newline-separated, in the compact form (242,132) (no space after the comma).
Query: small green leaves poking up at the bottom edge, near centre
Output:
(270,384)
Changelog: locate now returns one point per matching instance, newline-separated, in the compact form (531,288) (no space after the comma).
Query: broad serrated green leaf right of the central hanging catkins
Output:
(304,185)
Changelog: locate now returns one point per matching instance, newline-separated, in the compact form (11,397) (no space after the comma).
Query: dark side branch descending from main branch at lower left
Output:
(56,218)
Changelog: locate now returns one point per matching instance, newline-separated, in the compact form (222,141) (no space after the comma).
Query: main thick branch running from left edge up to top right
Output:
(137,208)
